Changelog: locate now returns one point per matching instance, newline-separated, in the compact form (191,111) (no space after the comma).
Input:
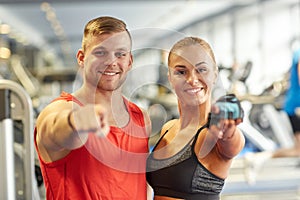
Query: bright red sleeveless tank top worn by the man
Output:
(111,168)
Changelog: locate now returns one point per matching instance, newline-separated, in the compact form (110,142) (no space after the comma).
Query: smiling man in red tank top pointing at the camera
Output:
(93,143)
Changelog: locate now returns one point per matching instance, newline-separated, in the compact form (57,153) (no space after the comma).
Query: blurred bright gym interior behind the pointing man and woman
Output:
(253,41)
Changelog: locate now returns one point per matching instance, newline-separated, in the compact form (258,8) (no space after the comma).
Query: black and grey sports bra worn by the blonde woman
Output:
(182,175)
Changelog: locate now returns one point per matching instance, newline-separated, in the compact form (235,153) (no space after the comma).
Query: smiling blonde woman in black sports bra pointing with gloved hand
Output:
(192,158)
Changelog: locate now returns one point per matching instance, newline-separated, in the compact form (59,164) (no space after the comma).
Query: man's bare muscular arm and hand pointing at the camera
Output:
(63,126)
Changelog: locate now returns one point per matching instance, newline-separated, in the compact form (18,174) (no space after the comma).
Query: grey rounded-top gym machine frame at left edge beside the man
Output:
(17,169)
